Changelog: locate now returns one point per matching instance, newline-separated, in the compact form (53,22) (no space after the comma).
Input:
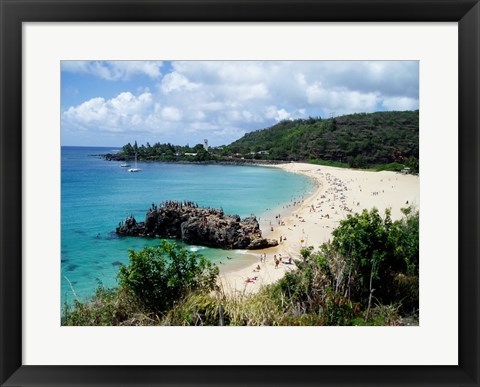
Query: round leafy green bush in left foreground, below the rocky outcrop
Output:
(158,277)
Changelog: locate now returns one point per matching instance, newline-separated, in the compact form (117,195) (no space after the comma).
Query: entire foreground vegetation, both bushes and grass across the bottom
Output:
(367,275)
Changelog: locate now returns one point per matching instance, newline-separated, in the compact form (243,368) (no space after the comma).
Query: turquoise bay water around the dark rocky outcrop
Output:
(98,194)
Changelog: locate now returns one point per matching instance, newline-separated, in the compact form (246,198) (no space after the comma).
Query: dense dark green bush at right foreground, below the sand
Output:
(382,254)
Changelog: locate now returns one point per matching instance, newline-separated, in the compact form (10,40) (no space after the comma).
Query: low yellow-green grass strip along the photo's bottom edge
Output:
(269,307)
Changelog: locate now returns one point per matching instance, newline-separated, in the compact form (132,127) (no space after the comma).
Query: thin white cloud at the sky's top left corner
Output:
(114,70)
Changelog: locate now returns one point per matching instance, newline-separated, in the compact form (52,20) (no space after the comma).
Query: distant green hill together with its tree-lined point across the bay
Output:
(382,140)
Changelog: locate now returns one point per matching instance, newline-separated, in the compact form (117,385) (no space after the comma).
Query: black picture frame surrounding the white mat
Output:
(15,12)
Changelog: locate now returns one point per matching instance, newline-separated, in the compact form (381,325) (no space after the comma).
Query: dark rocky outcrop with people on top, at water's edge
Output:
(198,226)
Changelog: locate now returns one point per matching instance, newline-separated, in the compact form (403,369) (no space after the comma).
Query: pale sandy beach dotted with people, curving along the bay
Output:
(310,221)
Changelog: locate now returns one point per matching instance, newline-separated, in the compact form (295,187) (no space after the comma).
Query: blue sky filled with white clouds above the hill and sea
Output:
(111,103)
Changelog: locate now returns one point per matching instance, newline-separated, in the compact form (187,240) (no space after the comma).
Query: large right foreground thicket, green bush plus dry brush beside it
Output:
(369,256)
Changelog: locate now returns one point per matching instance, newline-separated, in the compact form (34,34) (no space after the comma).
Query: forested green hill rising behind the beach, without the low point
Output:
(357,140)
